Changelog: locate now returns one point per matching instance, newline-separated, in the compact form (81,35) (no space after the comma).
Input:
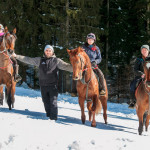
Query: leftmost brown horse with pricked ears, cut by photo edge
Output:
(6,68)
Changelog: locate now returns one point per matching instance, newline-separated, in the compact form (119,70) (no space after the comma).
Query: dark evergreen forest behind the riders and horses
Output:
(121,28)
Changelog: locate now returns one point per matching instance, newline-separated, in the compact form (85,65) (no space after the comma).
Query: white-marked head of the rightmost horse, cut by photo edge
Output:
(146,66)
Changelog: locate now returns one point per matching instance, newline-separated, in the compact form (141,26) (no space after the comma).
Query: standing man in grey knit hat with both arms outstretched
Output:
(48,69)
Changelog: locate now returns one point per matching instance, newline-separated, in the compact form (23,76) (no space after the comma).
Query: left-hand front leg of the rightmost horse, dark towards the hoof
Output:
(140,113)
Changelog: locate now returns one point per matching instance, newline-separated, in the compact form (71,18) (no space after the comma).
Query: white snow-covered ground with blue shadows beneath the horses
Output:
(26,127)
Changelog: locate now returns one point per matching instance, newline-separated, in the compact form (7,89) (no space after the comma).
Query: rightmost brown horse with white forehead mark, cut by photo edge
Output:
(143,98)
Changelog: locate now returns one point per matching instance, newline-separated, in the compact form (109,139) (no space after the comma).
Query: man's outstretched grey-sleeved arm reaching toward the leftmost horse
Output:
(28,60)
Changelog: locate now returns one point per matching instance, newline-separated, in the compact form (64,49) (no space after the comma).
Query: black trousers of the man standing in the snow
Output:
(49,98)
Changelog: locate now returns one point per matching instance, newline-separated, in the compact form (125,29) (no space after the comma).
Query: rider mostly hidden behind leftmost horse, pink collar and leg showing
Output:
(17,77)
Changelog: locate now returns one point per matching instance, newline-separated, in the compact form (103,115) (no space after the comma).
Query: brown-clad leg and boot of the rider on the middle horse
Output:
(101,79)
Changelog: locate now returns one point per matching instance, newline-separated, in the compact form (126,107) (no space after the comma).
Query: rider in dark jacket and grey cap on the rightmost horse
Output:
(139,74)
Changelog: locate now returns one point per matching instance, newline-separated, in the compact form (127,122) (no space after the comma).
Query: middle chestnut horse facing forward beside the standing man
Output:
(87,86)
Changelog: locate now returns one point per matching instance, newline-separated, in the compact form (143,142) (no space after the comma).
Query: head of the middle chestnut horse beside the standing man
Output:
(78,62)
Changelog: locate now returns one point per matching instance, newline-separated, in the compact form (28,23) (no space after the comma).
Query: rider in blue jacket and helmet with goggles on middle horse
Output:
(94,54)
